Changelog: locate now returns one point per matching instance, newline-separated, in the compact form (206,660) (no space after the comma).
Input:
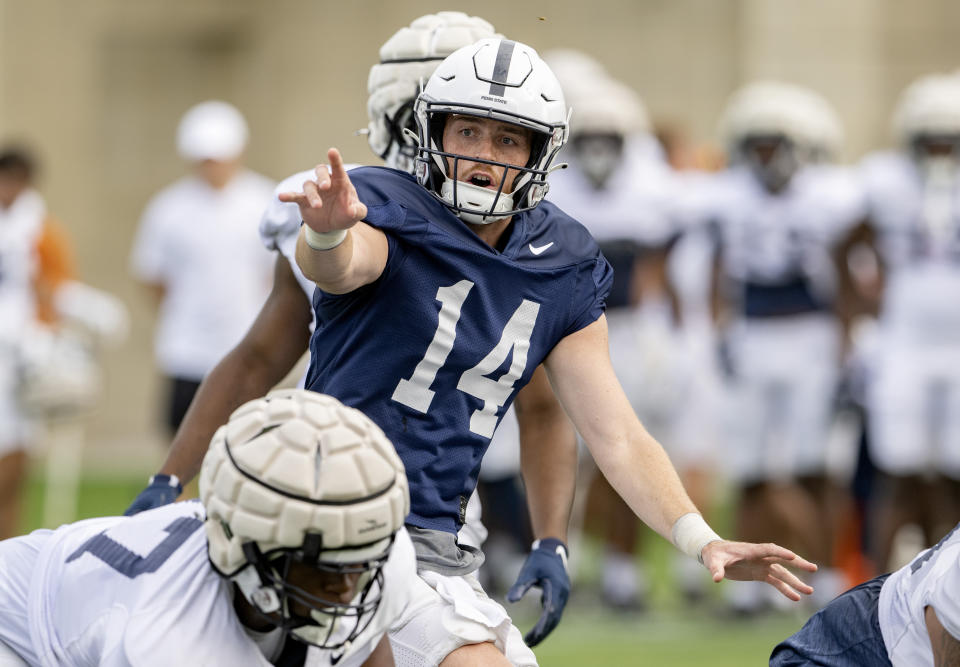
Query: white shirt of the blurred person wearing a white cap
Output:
(194,240)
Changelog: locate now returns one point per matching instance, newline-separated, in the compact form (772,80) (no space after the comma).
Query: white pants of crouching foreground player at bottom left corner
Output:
(17,559)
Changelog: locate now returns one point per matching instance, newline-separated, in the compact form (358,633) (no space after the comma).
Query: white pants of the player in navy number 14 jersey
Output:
(447,612)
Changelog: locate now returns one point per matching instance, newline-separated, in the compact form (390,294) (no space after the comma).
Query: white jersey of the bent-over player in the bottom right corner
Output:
(931,580)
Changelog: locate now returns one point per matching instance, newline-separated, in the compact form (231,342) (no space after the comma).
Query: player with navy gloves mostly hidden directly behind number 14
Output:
(279,336)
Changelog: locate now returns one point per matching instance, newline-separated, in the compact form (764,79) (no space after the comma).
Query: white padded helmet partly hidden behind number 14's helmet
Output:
(406,60)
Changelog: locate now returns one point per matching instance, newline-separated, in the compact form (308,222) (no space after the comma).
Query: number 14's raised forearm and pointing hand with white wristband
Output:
(335,249)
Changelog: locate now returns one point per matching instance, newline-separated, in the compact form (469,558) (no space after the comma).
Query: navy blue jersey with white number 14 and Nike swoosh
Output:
(435,350)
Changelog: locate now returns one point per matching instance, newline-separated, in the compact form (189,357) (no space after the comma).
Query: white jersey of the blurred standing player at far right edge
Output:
(917,222)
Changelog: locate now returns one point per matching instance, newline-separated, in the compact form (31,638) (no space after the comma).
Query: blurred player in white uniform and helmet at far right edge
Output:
(913,396)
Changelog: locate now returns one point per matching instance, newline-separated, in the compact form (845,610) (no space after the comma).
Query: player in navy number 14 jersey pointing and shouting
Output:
(439,295)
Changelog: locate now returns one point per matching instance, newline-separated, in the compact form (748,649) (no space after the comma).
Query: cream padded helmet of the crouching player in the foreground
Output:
(298,478)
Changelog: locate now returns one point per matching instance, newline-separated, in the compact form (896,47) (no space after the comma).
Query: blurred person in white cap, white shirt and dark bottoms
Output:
(192,237)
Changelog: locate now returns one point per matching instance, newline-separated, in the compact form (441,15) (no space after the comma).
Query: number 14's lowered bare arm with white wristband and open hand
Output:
(637,467)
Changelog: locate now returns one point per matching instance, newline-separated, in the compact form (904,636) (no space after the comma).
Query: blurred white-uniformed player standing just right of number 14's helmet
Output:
(619,186)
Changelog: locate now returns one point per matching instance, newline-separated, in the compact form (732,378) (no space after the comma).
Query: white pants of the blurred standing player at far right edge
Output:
(913,402)
